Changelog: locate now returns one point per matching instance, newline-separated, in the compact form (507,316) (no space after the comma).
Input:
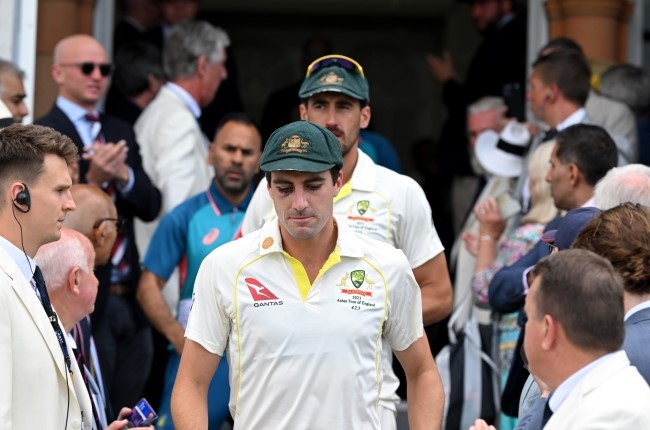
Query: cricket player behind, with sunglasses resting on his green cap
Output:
(374,201)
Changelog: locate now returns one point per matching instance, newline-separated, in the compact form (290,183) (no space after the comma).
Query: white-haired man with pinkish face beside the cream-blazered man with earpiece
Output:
(67,266)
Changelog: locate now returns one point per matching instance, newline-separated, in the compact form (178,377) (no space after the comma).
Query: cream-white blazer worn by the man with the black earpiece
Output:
(34,393)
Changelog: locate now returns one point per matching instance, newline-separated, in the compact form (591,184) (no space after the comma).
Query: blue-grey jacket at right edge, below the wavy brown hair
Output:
(637,339)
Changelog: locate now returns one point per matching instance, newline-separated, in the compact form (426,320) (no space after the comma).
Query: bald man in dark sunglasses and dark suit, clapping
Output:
(110,160)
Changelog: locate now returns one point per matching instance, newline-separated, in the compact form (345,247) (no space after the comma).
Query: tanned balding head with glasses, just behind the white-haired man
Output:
(95,217)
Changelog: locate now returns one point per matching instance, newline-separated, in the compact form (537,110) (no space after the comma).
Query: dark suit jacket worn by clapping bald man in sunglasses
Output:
(144,200)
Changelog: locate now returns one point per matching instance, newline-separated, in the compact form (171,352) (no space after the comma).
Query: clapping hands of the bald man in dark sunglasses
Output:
(107,162)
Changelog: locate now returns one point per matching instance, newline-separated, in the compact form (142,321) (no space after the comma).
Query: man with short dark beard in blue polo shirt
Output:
(190,232)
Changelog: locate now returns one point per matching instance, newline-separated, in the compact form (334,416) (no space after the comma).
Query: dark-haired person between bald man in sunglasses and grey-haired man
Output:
(137,78)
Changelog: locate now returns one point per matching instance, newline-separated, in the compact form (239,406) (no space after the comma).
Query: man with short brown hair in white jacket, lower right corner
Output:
(573,338)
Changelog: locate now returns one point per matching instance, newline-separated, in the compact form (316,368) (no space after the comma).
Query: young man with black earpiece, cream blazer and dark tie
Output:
(41,387)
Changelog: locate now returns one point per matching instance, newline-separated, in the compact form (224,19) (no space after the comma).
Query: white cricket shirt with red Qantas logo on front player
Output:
(305,357)
